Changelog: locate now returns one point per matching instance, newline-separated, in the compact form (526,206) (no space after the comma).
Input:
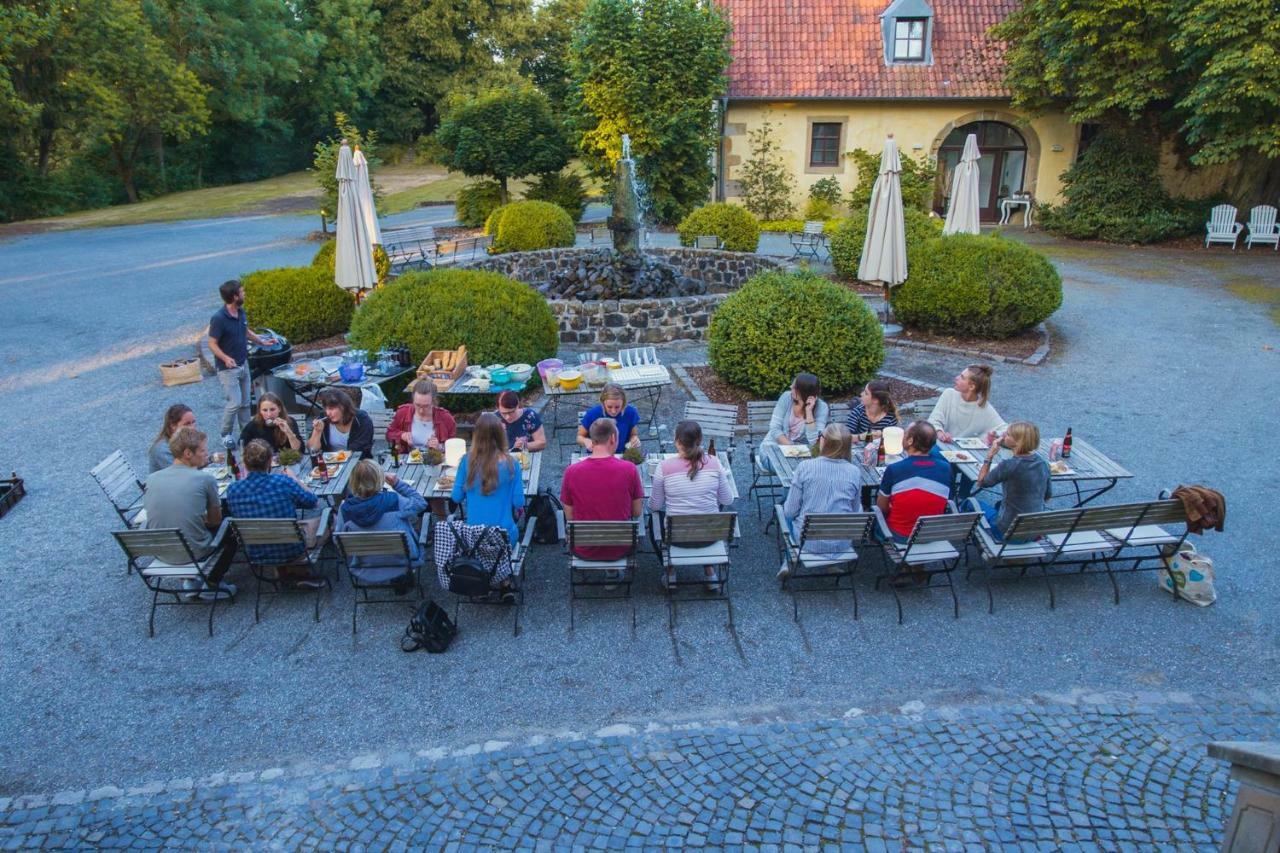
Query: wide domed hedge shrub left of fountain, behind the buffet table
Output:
(497,318)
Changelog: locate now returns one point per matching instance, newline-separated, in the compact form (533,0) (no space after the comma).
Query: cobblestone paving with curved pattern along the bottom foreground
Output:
(1057,773)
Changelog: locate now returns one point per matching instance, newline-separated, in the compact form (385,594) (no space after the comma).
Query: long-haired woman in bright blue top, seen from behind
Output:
(490,481)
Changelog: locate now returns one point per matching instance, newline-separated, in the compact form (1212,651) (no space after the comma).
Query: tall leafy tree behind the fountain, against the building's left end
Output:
(653,70)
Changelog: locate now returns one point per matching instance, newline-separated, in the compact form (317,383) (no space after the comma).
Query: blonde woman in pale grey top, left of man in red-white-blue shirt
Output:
(828,483)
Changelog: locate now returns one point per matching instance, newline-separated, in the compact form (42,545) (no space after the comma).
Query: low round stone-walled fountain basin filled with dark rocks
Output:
(601,297)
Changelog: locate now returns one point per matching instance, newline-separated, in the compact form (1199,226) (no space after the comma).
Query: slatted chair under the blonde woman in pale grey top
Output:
(851,530)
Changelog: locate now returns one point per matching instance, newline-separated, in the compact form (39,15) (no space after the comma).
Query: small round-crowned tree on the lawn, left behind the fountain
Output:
(504,134)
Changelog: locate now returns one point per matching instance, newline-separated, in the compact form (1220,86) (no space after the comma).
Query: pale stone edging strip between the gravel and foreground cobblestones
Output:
(934,708)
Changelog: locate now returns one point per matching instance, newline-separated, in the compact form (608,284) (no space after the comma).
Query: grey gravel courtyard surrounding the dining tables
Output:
(1153,361)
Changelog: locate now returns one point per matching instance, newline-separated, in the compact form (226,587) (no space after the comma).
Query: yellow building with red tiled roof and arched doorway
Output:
(834,76)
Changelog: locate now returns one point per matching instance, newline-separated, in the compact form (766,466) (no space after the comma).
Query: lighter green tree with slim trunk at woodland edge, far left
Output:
(132,88)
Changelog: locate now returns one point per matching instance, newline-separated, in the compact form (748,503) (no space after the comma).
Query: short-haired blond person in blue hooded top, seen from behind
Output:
(371,508)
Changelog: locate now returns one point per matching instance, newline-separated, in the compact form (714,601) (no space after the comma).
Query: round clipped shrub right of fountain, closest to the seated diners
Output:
(780,325)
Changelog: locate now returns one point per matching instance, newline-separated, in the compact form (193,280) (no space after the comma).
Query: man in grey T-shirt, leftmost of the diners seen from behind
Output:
(185,496)
